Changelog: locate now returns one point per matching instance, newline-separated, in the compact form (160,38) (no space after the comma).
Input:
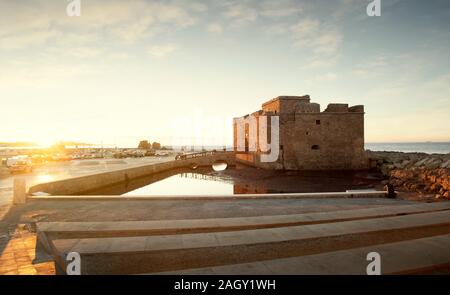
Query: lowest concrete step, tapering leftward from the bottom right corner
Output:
(407,257)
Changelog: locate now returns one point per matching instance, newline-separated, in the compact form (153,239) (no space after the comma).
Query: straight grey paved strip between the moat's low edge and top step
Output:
(136,210)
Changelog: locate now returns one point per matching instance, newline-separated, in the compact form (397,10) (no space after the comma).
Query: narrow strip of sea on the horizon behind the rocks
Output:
(419,147)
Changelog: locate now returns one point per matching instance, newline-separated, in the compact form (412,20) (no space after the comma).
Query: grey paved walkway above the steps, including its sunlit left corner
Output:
(98,211)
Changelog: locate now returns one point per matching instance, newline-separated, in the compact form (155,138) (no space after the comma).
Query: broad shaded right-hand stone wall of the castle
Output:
(323,141)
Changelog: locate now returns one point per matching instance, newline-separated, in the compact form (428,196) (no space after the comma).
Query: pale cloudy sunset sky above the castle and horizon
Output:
(180,70)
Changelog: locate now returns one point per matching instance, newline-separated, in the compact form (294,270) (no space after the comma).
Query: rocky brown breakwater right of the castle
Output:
(415,172)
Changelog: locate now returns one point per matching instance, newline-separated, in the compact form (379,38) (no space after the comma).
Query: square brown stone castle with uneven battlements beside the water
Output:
(308,138)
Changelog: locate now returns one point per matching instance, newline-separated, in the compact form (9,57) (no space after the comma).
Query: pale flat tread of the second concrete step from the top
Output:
(267,235)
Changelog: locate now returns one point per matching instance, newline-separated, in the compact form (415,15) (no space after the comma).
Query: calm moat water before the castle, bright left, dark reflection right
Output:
(241,180)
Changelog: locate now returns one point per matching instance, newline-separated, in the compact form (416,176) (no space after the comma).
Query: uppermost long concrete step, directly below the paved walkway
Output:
(48,231)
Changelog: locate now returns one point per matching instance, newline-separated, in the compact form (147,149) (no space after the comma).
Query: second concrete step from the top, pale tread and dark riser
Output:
(171,252)
